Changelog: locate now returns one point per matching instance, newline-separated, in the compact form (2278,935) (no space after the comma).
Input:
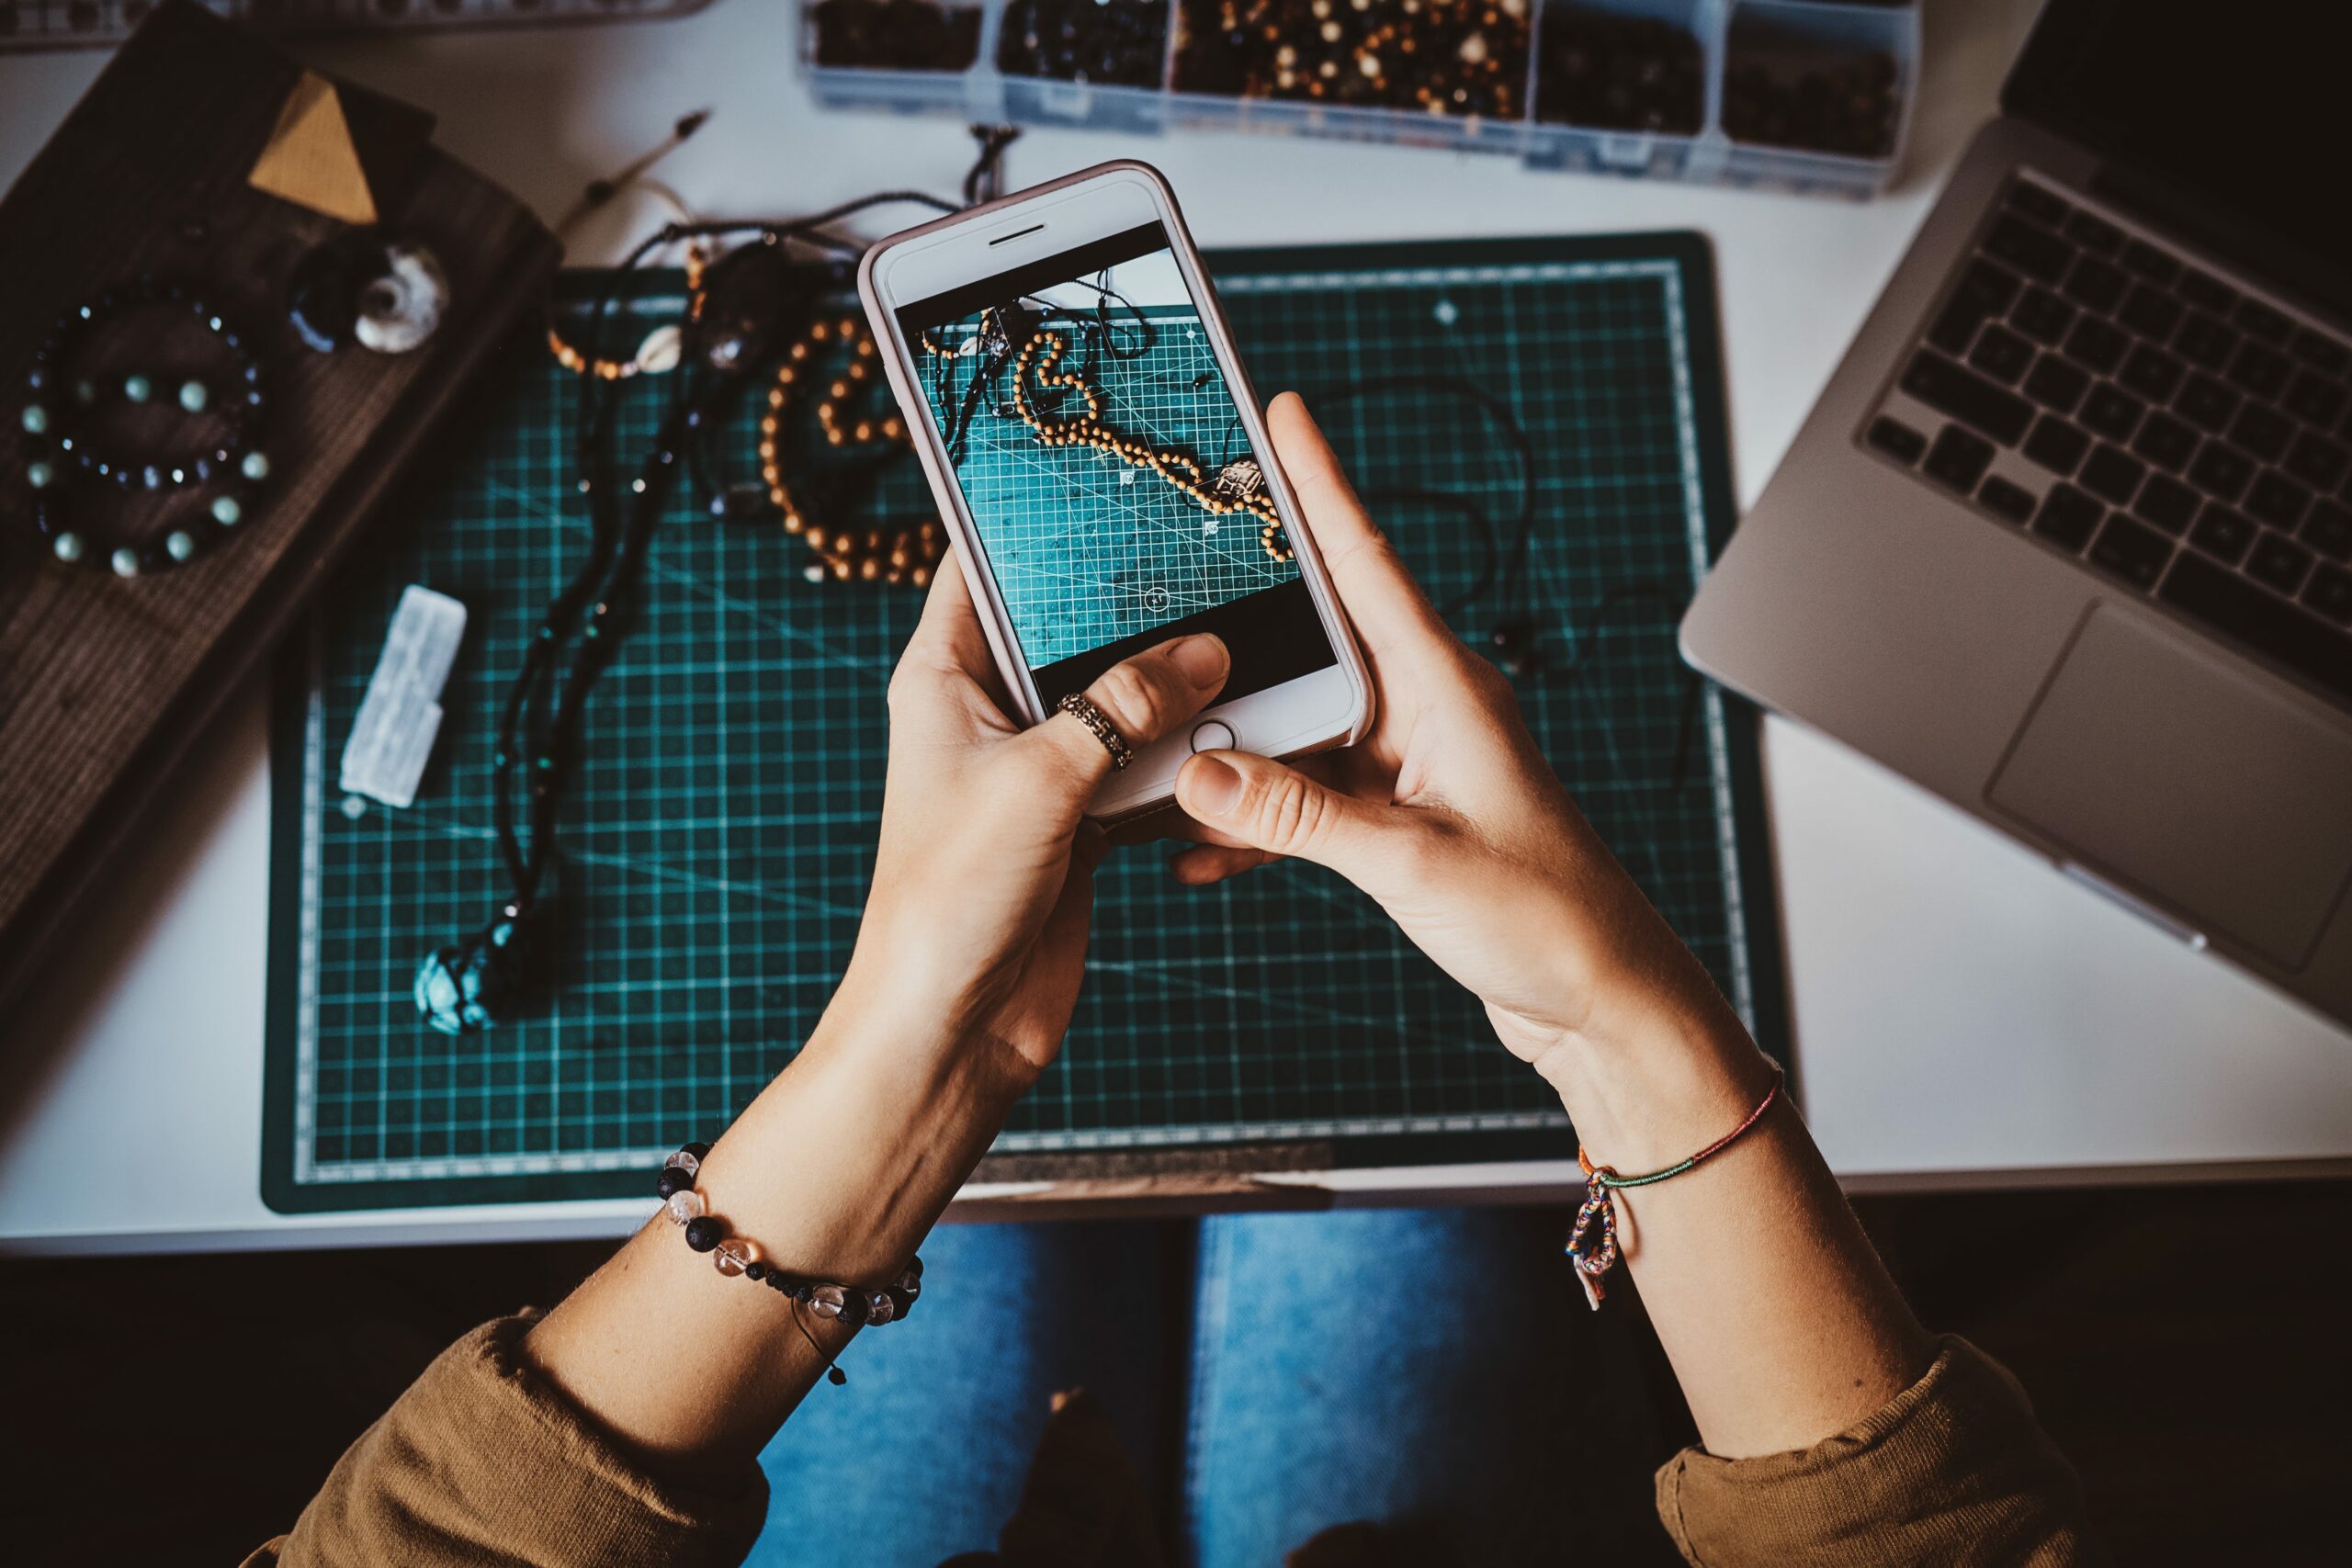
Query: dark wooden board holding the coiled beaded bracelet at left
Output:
(107,683)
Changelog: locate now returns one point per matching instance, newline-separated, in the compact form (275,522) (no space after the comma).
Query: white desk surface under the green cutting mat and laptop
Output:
(1965,1017)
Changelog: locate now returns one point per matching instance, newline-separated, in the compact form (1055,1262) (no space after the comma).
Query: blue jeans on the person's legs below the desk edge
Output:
(1271,1376)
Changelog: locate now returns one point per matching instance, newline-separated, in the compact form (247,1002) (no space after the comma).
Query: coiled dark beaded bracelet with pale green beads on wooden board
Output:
(60,450)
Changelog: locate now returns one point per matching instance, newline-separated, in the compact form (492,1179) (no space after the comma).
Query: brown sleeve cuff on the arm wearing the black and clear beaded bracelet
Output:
(486,1463)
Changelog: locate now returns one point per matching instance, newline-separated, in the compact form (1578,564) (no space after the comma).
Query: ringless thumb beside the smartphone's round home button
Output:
(1274,808)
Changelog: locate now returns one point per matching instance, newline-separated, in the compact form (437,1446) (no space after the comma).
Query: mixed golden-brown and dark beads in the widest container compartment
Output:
(1445,58)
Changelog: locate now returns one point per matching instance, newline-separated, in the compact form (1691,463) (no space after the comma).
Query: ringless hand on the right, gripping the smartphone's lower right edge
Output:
(1450,817)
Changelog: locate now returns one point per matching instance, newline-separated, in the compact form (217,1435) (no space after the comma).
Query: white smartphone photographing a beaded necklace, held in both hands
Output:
(1104,469)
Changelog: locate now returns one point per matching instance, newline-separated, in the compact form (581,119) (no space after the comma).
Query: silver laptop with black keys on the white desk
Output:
(2069,540)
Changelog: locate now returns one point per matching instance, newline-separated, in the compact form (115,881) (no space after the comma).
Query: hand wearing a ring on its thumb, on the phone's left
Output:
(975,934)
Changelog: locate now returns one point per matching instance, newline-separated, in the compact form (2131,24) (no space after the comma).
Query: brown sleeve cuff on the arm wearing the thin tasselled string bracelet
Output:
(1953,1473)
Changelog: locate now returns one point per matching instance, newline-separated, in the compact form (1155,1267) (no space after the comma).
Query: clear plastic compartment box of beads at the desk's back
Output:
(1793,95)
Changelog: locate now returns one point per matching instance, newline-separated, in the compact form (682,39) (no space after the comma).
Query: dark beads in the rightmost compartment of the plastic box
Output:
(1812,79)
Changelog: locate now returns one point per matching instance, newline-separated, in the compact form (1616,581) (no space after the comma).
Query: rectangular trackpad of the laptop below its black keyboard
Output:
(2170,770)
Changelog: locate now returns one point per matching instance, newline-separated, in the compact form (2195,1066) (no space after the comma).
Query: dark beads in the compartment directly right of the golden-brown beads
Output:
(1622,72)
